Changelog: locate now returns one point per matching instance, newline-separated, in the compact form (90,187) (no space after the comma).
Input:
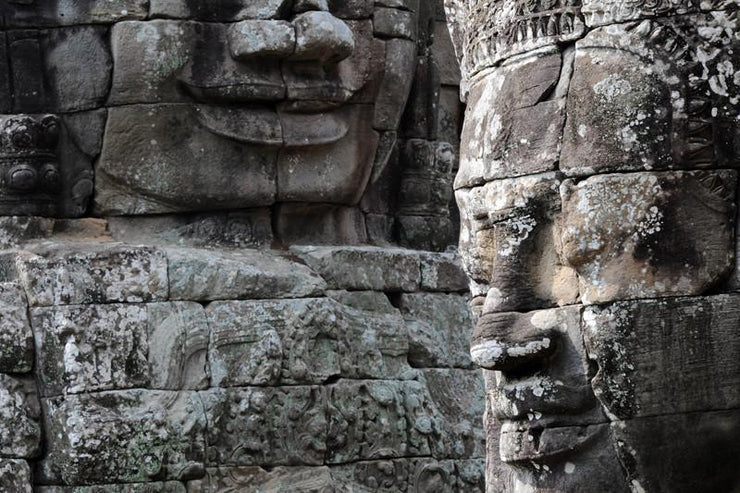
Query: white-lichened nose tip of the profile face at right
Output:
(507,341)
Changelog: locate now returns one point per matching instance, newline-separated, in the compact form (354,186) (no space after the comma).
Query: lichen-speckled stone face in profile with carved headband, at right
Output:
(597,184)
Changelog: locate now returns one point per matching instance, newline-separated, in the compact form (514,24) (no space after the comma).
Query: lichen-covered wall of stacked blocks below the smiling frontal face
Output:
(184,369)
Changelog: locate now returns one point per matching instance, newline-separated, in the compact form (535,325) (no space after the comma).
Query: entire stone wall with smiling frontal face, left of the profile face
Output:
(227,249)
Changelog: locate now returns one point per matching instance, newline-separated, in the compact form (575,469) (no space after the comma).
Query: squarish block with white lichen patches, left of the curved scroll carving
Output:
(87,348)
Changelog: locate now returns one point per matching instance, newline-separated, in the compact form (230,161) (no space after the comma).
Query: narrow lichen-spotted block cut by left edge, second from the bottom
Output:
(20,431)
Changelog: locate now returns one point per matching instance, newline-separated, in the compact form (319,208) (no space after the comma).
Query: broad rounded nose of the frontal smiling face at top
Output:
(312,36)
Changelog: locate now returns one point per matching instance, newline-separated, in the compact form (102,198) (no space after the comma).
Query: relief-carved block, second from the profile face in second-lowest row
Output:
(380,419)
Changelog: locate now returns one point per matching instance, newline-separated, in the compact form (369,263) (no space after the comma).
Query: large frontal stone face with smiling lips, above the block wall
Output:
(214,105)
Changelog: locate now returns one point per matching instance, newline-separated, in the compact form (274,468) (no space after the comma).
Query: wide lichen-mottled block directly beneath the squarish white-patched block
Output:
(148,435)
